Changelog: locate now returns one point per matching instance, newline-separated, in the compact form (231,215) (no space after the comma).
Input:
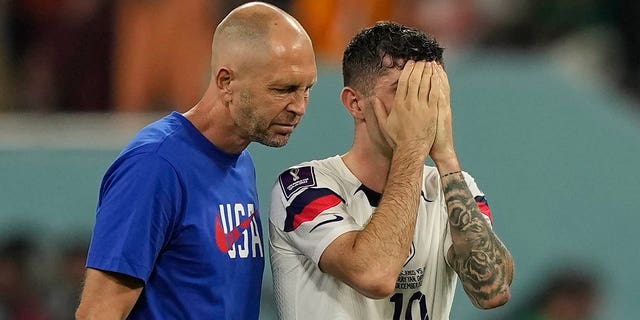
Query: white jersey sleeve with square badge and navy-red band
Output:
(308,211)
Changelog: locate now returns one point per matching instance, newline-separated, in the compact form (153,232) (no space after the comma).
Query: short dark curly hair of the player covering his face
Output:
(363,61)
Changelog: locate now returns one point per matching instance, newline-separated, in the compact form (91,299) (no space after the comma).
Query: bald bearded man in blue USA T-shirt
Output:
(178,232)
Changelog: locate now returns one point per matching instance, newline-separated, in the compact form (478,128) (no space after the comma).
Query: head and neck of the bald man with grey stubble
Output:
(262,69)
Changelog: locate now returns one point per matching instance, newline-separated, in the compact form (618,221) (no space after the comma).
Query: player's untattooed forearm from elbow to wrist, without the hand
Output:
(371,259)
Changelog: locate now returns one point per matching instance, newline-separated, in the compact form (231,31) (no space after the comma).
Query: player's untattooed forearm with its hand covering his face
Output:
(370,260)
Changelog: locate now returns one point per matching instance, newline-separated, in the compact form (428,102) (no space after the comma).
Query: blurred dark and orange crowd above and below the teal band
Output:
(70,56)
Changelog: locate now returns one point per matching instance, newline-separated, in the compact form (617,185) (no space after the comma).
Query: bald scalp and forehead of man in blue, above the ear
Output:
(255,29)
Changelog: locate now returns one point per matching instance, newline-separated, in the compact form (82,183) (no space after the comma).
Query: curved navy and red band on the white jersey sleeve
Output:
(308,205)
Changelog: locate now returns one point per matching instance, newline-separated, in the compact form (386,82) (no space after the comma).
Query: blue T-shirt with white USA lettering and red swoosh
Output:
(182,216)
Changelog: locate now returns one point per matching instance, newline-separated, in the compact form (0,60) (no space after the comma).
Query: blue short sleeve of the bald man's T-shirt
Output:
(140,197)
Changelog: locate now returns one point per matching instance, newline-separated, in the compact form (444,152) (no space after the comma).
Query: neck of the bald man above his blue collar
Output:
(212,118)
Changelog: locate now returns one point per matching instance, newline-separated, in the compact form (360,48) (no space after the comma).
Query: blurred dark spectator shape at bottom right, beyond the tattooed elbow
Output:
(569,294)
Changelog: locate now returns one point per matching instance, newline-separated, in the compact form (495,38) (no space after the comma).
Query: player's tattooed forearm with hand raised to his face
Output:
(480,259)
